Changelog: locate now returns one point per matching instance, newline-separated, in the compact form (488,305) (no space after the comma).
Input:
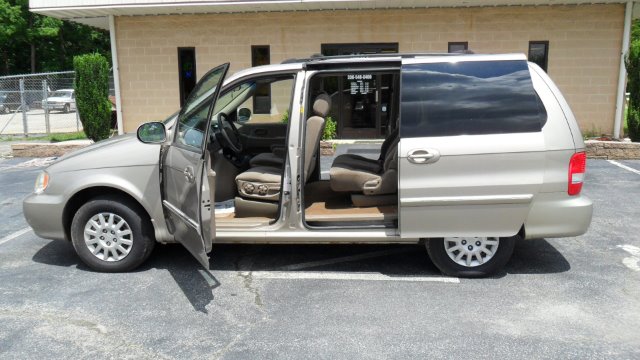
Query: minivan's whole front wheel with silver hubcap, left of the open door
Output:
(112,234)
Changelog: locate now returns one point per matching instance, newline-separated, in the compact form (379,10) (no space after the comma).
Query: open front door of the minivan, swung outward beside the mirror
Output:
(184,169)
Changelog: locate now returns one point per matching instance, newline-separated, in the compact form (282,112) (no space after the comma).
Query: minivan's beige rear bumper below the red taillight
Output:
(554,215)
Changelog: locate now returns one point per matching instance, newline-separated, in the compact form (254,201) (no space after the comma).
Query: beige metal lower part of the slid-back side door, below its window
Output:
(479,186)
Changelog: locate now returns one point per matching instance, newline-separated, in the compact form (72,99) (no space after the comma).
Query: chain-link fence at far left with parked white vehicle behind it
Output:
(39,104)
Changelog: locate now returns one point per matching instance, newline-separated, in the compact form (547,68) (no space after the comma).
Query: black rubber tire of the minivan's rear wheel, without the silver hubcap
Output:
(438,254)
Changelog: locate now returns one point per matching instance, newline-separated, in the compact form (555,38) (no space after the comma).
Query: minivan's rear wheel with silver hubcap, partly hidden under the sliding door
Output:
(471,256)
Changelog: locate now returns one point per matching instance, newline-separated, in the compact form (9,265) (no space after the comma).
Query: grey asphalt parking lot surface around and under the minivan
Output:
(557,298)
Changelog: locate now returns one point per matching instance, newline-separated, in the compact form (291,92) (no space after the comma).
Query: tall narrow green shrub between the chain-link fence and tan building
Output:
(92,94)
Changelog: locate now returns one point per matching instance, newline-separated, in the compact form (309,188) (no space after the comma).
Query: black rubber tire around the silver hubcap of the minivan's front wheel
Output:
(142,235)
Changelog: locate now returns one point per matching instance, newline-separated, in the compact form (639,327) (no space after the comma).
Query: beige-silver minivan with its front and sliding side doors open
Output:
(479,151)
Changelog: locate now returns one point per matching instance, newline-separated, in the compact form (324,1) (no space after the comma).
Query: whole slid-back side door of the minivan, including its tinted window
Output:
(472,154)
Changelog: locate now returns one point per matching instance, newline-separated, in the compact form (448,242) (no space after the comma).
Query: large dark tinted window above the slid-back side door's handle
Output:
(468,98)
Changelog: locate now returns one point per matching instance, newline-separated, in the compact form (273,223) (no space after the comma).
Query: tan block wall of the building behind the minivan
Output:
(584,46)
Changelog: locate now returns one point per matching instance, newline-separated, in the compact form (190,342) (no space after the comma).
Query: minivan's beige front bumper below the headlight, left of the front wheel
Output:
(44,214)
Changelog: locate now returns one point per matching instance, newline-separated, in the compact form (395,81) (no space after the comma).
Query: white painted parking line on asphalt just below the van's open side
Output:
(331,275)
